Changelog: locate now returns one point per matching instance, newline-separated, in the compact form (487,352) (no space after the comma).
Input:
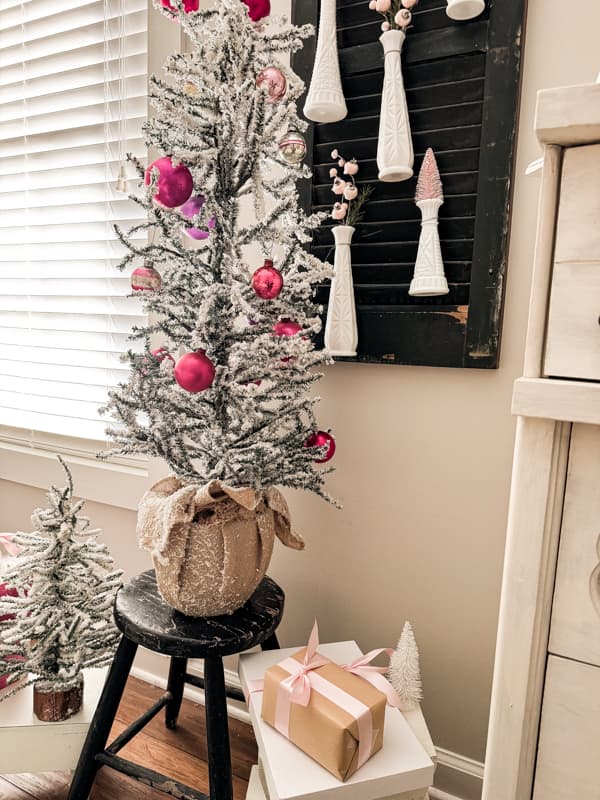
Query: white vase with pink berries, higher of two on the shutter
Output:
(395,156)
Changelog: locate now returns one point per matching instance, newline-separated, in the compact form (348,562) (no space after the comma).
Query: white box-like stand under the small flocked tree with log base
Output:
(29,745)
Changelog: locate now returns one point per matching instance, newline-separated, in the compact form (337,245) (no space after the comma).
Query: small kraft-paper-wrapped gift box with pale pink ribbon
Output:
(334,716)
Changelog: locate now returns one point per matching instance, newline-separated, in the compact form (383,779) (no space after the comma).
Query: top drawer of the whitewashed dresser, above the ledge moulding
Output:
(573,338)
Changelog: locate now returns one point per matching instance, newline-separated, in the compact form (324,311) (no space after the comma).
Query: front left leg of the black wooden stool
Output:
(102,721)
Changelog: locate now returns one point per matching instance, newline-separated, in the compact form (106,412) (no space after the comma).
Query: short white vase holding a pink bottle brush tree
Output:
(429,279)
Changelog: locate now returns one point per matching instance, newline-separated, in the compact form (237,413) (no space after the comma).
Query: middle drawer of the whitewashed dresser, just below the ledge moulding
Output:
(575,624)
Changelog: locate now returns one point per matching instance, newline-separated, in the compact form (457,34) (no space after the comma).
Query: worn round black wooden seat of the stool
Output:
(144,618)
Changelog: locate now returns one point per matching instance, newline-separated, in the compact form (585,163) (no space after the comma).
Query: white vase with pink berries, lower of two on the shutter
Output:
(341,332)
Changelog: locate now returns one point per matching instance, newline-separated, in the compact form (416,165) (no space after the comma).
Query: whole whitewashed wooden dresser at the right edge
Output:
(544,734)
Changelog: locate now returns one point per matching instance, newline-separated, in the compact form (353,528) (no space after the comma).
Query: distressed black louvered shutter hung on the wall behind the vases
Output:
(462,82)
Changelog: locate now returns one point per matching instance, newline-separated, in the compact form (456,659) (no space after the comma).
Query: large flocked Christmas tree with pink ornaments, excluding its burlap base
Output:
(219,384)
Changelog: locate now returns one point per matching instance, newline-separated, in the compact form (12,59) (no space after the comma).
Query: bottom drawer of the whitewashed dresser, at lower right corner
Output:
(568,760)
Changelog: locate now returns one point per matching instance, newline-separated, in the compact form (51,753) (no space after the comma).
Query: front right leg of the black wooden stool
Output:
(217,730)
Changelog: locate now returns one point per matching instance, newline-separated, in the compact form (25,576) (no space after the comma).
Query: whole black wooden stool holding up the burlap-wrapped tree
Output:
(146,620)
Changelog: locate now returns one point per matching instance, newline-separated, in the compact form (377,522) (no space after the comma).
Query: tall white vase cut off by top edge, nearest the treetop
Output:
(325,100)
